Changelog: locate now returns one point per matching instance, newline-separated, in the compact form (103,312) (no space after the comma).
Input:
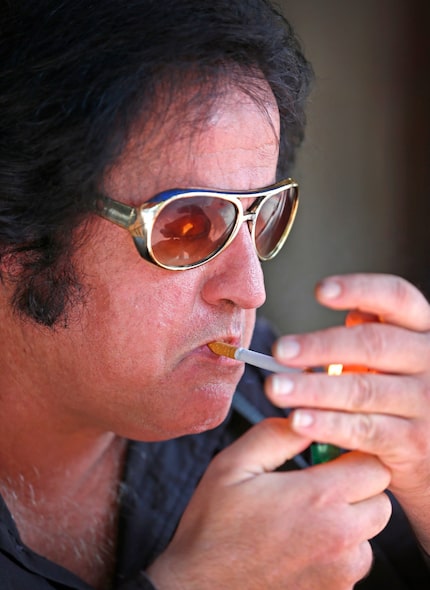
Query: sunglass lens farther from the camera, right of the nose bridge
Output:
(273,222)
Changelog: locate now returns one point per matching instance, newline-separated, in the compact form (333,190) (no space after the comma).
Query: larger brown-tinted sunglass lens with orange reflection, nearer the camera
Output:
(189,230)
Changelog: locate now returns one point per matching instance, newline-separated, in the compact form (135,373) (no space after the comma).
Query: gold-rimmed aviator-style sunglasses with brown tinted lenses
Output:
(180,229)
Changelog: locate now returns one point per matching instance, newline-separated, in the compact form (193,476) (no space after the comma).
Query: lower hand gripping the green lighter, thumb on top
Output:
(249,527)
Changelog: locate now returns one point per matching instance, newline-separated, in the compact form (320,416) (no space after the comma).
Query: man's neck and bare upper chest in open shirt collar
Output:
(59,474)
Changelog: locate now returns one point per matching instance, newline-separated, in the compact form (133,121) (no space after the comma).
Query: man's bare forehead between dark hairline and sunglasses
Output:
(227,144)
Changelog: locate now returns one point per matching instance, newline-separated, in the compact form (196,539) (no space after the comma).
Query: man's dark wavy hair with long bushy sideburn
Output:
(75,76)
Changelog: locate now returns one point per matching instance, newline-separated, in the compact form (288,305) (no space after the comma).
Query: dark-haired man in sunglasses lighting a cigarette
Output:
(137,137)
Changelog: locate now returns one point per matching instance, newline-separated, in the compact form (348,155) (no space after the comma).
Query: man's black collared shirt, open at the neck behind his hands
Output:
(158,482)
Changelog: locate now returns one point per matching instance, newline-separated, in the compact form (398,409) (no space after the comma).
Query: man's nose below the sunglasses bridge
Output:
(236,275)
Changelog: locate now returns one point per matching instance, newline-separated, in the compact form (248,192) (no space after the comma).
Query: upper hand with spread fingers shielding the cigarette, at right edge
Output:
(385,412)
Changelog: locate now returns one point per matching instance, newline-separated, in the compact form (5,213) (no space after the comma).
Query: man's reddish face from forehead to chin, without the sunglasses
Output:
(136,361)
